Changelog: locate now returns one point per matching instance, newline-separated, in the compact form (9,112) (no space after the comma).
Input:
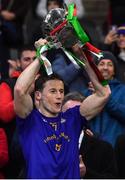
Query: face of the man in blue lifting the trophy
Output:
(51,98)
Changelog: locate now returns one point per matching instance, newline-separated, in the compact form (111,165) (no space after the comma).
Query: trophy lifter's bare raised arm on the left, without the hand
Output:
(23,103)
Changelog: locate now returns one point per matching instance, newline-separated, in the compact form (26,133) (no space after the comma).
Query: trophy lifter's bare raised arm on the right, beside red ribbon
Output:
(94,103)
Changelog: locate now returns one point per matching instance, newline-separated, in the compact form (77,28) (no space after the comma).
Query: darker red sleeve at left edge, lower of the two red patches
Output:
(3,148)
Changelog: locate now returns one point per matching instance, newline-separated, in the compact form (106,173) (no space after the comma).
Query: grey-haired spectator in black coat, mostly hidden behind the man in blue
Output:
(98,158)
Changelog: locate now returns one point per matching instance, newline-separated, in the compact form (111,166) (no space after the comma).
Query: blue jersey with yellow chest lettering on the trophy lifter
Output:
(50,145)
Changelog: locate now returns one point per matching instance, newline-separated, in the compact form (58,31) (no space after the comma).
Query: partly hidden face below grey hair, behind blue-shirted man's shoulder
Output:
(70,104)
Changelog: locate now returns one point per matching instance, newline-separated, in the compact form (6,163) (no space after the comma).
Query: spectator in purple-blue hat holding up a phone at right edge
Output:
(115,42)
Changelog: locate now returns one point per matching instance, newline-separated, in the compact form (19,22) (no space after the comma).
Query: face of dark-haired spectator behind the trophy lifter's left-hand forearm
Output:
(27,58)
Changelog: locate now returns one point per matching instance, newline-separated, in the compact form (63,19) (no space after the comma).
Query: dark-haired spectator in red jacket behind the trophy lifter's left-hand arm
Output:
(27,56)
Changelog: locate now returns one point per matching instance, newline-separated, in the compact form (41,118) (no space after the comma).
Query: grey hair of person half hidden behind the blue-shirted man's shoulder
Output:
(75,96)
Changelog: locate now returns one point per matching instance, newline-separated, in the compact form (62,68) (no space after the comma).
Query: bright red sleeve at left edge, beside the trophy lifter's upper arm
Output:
(6,103)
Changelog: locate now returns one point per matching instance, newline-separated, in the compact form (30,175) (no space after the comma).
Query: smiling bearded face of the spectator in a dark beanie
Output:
(106,67)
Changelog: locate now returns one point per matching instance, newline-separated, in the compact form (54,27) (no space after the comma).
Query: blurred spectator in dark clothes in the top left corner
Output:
(12,15)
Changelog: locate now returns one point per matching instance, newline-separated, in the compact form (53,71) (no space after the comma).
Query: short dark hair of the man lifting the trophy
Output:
(40,82)
